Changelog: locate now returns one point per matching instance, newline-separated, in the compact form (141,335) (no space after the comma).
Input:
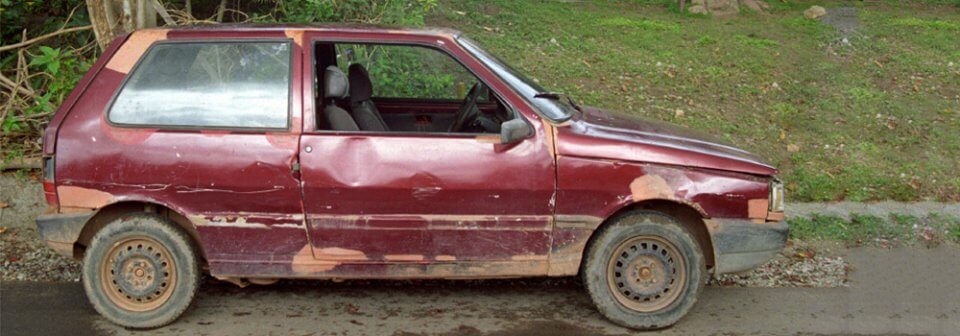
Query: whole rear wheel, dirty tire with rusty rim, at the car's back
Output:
(146,249)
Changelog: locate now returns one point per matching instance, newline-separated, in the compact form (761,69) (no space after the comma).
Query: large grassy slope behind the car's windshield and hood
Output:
(874,118)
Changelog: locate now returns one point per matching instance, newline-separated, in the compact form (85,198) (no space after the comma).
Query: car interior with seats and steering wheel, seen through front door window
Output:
(402,89)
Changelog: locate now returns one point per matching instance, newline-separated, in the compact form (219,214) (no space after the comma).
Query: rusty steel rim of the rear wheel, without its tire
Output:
(138,274)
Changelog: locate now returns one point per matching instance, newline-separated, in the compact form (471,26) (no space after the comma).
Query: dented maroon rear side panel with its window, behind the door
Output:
(207,128)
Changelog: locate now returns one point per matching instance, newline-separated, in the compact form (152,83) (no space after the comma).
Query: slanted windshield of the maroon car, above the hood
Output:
(551,108)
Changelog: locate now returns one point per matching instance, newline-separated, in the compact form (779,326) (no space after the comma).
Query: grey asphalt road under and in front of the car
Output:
(892,292)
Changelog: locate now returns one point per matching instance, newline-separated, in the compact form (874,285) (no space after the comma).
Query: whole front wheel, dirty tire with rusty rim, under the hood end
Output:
(601,272)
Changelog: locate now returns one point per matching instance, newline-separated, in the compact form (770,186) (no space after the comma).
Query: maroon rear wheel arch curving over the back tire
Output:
(109,213)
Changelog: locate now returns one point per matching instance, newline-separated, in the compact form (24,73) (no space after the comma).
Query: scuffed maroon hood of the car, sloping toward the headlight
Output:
(610,135)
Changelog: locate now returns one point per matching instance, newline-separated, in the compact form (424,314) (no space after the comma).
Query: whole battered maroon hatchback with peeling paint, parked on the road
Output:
(261,153)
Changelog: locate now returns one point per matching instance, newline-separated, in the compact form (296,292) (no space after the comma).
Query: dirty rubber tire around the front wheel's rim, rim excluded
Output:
(621,228)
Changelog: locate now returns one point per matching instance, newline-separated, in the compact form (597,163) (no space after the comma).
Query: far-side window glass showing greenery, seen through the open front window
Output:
(408,71)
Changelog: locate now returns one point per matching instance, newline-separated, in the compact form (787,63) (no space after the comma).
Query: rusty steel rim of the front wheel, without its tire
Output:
(646,273)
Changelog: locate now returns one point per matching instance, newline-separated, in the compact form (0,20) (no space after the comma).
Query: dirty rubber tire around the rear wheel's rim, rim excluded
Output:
(184,254)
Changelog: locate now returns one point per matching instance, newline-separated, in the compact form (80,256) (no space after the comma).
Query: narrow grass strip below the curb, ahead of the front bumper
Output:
(894,230)
